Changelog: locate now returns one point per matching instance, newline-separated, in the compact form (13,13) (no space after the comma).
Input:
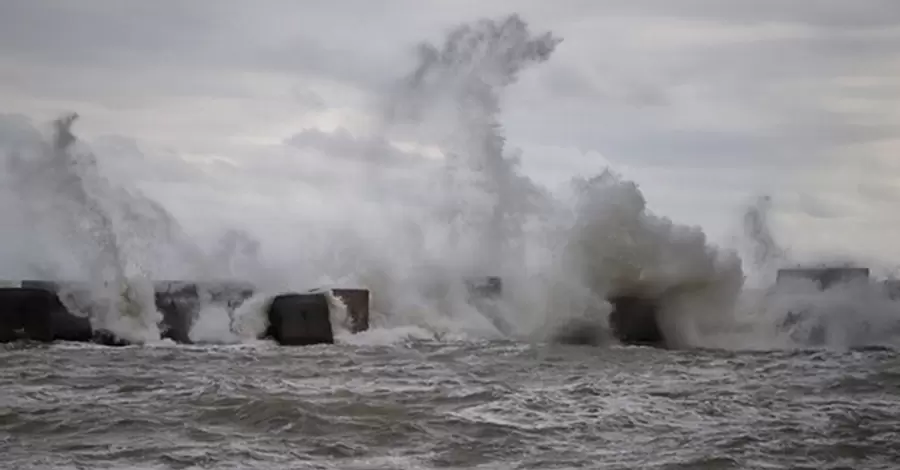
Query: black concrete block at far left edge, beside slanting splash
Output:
(37,314)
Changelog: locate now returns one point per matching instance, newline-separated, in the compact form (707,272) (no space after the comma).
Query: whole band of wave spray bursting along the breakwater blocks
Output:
(473,214)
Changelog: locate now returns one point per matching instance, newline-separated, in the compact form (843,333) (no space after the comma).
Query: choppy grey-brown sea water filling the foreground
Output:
(449,405)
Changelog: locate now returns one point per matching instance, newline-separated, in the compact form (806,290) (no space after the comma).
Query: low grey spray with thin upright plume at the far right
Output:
(797,313)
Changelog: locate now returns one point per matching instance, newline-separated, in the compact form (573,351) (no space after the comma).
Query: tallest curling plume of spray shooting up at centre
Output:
(456,88)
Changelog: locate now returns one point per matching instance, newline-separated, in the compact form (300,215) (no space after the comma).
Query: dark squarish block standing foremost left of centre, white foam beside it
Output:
(300,319)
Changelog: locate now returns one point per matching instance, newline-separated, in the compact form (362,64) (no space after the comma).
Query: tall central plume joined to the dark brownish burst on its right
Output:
(558,265)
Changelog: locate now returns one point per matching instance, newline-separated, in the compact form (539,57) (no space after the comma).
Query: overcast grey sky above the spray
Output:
(227,110)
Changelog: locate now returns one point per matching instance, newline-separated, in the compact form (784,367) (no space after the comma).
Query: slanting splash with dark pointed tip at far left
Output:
(63,188)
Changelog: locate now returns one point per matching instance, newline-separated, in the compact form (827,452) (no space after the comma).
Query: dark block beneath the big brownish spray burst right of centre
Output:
(634,321)
